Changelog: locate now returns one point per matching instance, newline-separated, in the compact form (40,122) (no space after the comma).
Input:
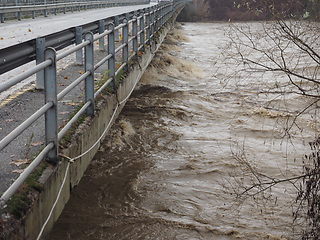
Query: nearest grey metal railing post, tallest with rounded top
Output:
(51,118)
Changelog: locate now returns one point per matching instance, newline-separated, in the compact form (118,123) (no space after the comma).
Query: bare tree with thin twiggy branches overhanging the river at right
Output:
(288,48)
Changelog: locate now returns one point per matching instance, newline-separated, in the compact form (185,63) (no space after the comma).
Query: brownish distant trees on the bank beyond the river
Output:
(249,10)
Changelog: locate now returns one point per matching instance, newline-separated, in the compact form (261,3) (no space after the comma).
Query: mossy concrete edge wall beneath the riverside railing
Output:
(86,136)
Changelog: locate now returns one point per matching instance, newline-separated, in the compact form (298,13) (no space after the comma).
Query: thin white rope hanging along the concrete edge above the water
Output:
(106,129)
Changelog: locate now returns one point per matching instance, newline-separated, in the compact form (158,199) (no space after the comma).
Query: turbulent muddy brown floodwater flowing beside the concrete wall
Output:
(193,136)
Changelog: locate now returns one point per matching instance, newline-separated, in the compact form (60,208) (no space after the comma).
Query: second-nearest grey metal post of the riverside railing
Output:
(89,66)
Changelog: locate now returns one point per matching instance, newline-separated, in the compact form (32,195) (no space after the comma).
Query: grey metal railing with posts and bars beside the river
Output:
(144,25)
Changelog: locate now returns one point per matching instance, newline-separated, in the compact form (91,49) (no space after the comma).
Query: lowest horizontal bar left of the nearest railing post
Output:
(23,176)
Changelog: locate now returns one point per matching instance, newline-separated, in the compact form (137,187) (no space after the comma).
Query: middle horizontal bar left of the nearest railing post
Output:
(23,126)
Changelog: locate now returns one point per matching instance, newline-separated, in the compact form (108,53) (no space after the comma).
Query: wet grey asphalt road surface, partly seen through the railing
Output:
(19,103)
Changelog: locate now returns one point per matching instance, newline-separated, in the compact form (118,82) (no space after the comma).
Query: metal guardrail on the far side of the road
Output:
(62,7)
